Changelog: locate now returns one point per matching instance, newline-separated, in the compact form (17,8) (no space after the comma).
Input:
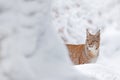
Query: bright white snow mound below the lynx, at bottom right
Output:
(99,71)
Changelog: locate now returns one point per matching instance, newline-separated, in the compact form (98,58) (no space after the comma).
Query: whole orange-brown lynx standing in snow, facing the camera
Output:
(85,53)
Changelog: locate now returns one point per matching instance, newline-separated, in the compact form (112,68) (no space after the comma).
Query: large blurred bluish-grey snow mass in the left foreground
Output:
(30,49)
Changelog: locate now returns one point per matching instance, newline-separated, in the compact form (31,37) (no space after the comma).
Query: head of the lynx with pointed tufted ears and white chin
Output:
(93,42)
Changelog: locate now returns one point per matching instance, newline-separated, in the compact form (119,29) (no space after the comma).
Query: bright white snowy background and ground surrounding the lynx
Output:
(72,17)
